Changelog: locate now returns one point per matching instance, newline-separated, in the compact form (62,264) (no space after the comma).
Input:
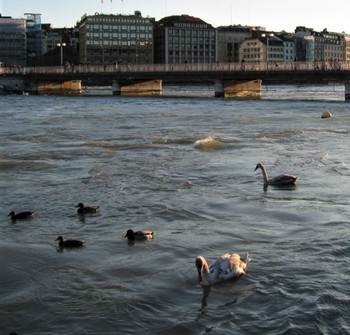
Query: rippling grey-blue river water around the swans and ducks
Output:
(183,167)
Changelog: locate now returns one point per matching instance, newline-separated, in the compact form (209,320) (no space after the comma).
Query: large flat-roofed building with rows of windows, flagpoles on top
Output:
(111,39)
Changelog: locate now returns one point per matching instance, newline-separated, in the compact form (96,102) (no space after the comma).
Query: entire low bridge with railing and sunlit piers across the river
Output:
(230,79)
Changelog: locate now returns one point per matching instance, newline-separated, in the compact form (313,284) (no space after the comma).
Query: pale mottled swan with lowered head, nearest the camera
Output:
(226,267)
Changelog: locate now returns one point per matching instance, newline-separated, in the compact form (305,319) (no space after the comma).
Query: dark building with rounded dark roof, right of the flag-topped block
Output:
(184,39)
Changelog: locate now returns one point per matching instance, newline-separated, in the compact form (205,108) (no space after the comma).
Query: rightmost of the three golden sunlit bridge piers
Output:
(243,90)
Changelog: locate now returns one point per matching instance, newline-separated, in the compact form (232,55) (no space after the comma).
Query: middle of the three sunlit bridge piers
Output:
(137,88)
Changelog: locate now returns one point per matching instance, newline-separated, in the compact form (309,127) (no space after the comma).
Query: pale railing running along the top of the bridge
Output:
(243,66)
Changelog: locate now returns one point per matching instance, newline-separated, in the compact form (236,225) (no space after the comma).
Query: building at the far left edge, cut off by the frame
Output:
(13,41)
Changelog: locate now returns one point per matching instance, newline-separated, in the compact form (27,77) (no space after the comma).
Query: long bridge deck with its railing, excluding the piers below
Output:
(296,72)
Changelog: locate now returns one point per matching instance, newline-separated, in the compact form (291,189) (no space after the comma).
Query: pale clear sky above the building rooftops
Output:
(274,15)
